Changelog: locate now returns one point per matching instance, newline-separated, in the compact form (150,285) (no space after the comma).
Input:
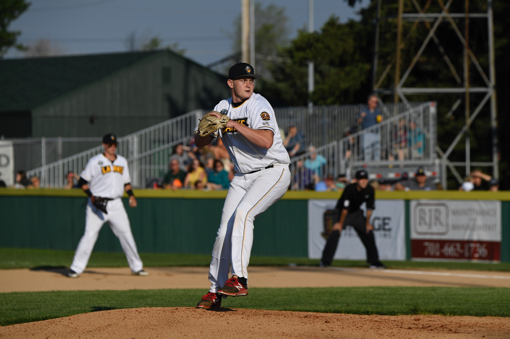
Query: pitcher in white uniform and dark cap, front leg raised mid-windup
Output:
(261,165)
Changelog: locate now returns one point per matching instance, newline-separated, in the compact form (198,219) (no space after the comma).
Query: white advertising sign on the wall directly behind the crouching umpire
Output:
(388,222)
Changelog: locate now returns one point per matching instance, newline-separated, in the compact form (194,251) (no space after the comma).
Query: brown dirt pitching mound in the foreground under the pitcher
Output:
(195,323)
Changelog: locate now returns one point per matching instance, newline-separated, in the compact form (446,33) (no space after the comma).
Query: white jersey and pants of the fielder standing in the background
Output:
(106,179)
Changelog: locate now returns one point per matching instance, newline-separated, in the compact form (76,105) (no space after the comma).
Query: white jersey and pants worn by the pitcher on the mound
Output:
(253,189)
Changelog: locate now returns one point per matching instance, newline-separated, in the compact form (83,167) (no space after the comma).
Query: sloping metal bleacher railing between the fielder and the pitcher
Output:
(147,152)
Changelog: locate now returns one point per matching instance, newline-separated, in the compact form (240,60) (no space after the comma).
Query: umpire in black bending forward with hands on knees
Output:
(353,196)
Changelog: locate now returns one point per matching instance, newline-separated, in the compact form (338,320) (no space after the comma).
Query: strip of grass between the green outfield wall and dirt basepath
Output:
(30,258)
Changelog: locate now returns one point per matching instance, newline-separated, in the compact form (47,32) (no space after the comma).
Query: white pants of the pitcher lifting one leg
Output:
(248,196)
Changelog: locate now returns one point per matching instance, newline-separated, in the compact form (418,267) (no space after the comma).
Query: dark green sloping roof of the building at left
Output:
(31,82)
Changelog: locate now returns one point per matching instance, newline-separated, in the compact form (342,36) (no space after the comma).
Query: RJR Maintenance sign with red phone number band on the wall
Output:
(456,230)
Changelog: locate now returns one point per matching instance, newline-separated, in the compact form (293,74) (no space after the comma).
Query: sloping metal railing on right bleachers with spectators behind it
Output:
(407,139)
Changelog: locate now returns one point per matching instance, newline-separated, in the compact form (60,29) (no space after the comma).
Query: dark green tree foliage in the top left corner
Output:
(10,10)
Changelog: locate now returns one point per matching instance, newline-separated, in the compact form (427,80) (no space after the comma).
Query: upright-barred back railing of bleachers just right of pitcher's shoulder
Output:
(321,125)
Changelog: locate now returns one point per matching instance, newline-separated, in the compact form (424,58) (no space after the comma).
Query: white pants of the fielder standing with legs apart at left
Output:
(119,223)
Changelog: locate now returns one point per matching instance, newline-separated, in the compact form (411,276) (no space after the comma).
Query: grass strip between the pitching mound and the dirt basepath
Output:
(18,308)
